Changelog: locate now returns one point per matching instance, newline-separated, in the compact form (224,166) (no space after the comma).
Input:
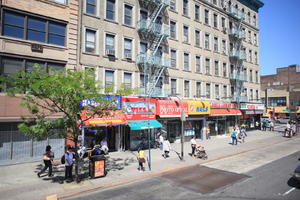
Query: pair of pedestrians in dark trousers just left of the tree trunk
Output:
(68,161)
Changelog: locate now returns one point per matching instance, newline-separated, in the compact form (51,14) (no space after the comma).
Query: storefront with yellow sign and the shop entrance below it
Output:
(195,122)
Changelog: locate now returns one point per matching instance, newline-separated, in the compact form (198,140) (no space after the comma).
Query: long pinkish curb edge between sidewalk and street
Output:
(154,174)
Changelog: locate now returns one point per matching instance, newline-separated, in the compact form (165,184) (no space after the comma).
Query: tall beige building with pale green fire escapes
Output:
(200,50)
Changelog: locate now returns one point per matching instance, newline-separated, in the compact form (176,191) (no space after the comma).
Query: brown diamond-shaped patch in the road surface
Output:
(203,179)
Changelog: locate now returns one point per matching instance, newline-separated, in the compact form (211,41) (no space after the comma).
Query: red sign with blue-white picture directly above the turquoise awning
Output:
(139,108)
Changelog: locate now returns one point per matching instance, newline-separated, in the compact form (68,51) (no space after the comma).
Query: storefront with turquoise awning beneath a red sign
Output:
(142,123)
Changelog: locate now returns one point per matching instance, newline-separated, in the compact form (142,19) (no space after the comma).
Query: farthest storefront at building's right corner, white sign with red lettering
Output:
(251,114)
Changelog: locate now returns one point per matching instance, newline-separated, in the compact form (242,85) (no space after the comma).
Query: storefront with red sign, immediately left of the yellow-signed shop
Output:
(168,114)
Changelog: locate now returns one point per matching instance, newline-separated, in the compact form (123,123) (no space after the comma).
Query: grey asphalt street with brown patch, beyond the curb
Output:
(259,174)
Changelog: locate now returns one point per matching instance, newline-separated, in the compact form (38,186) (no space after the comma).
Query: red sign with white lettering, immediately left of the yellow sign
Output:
(170,108)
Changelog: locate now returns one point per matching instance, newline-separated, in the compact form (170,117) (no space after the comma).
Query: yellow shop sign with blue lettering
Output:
(198,107)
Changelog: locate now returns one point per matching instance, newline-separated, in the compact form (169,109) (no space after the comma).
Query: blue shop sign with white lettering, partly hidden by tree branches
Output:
(90,103)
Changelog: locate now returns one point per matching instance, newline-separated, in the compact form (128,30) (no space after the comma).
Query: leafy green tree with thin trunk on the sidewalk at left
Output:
(59,93)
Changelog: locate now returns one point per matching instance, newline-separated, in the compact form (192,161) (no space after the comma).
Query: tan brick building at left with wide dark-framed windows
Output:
(33,31)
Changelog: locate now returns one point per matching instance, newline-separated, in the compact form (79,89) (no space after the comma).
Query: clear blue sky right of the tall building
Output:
(279,24)
